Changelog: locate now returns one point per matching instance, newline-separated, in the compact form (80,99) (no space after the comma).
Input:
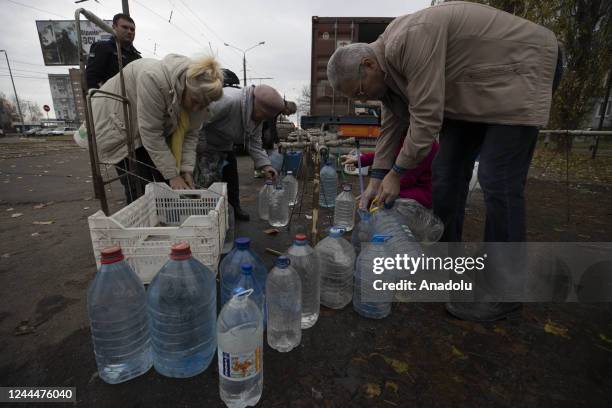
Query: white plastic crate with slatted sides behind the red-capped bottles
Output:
(147,228)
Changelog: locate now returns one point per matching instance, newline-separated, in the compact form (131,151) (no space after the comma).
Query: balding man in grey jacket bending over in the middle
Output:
(236,119)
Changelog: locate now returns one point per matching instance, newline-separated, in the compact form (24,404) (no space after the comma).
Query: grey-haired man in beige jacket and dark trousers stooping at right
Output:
(479,77)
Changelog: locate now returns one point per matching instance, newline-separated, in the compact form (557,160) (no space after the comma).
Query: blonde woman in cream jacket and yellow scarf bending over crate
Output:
(169,100)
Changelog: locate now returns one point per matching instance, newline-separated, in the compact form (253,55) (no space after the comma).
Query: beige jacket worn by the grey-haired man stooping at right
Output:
(462,61)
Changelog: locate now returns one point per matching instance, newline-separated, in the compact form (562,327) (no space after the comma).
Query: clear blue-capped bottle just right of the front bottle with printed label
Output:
(284,304)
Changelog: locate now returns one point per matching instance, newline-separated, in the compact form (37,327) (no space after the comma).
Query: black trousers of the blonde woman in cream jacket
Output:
(142,172)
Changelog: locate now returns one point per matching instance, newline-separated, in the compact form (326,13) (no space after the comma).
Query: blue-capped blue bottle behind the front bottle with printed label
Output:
(230,270)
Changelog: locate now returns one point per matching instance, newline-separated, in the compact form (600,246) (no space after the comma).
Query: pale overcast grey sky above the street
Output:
(285,26)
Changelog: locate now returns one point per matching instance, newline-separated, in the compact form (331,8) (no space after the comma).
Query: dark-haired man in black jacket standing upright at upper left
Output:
(102,63)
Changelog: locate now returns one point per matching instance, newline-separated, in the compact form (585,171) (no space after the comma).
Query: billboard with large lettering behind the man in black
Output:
(58,40)
